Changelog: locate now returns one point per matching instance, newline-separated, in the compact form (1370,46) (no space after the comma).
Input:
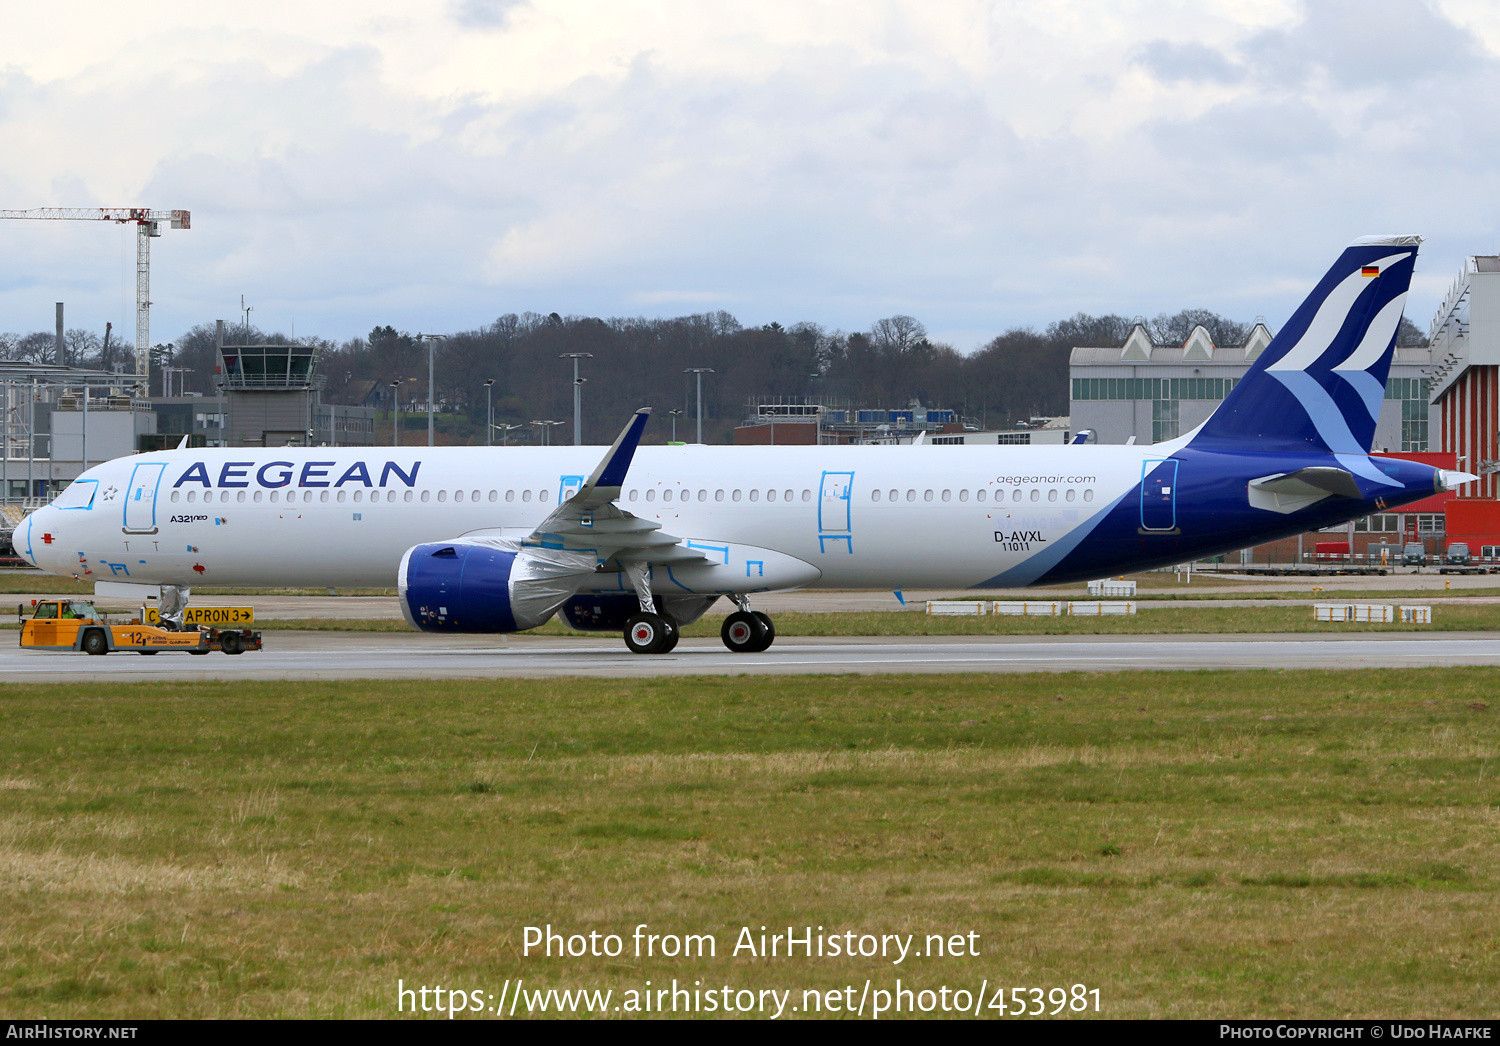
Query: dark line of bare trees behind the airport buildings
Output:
(1016,376)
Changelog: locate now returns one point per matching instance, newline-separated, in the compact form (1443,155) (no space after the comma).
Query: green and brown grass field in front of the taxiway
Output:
(1192,844)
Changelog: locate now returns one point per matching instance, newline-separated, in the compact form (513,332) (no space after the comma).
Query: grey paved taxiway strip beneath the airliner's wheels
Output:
(353,657)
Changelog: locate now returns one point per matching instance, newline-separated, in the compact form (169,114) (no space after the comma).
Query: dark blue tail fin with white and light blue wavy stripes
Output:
(1319,383)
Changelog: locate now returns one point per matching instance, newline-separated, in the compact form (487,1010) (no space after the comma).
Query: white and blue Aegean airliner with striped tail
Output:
(490,540)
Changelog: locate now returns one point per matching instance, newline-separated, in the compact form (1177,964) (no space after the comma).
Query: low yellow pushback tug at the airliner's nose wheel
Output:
(77,625)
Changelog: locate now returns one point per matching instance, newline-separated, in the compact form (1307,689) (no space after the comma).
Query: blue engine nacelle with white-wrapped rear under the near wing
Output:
(487,585)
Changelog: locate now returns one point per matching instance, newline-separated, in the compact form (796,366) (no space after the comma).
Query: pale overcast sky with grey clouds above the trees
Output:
(979,166)
